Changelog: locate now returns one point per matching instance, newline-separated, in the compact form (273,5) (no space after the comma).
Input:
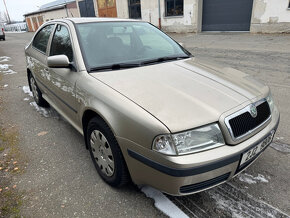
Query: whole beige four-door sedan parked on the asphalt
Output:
(147,109)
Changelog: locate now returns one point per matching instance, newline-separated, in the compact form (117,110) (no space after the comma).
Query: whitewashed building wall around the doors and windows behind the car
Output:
(267,15)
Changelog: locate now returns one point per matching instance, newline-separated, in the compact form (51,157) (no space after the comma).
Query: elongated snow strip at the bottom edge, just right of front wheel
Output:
(163,203)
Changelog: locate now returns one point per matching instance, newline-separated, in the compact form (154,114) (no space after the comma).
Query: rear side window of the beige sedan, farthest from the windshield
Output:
(41,39)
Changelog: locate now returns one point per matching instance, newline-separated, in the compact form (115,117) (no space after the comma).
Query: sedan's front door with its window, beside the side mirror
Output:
(62,80)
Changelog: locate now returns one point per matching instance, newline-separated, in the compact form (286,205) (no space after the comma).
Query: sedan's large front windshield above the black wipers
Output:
(115,43)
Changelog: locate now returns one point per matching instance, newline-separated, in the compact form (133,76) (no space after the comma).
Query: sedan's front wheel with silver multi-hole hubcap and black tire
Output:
(106,153)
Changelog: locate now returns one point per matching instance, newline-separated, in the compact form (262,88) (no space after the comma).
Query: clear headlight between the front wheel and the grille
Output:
(191,141)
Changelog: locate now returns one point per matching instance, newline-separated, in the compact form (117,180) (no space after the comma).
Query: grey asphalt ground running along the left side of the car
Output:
(60,179)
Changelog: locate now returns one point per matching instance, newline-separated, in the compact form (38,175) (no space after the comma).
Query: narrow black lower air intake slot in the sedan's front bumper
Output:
(203,185)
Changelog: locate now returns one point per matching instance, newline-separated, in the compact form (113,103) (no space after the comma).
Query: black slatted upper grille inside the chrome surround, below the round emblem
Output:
(243,123)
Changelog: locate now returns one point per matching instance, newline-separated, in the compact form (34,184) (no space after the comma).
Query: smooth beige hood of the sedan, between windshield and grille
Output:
(184,94)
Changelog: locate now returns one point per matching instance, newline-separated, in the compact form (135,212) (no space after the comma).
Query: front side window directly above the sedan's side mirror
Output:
(61,43)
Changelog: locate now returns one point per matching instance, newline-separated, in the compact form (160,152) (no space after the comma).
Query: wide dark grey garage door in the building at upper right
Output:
(226,15)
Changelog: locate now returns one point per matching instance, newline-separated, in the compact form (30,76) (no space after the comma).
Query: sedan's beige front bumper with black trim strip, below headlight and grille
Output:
(187,174)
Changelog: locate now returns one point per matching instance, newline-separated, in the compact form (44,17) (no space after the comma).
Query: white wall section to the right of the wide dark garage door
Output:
(270,16)
